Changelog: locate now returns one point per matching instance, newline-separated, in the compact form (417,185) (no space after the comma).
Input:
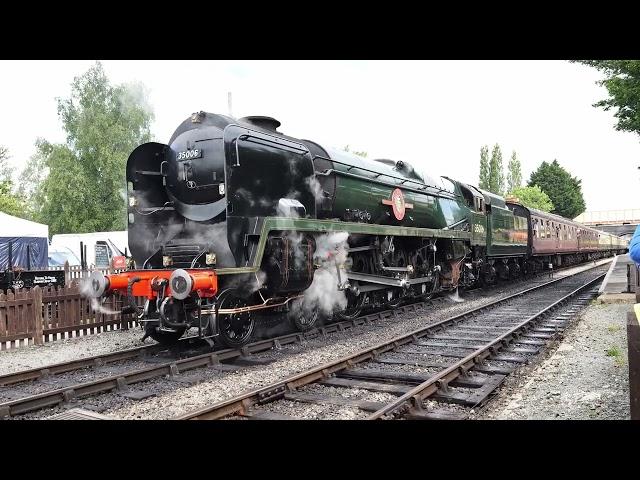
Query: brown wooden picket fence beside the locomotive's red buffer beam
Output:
(41,315)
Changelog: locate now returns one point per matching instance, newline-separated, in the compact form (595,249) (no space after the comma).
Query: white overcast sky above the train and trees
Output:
(434,114)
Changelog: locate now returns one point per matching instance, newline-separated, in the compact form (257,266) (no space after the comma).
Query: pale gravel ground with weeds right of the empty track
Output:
(584,378)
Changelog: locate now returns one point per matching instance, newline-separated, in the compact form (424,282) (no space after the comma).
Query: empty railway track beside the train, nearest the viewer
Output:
(460,360)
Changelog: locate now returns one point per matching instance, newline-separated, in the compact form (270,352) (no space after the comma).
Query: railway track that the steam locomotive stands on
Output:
(171,367)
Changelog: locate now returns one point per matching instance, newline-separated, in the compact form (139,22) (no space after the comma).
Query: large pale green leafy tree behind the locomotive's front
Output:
(83,189)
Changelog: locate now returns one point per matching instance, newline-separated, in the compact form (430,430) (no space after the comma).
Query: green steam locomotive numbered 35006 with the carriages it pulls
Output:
(232,222)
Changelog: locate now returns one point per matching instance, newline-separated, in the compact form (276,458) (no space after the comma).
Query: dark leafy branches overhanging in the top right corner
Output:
(623,84)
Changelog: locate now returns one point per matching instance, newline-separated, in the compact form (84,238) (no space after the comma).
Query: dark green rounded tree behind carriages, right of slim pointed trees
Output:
(564,190)
